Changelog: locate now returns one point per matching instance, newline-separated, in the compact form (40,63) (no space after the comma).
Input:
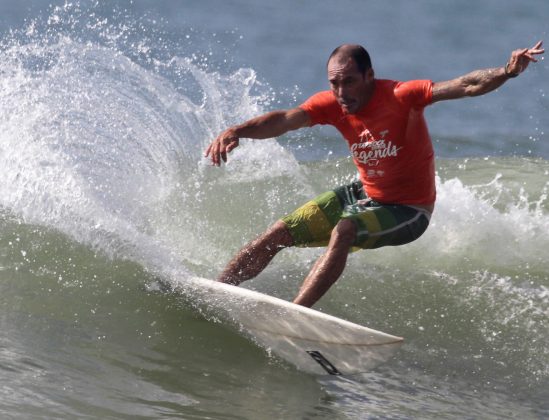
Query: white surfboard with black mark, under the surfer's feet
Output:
(313,341)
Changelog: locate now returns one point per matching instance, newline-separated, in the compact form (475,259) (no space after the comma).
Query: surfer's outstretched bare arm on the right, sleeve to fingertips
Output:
(480,82)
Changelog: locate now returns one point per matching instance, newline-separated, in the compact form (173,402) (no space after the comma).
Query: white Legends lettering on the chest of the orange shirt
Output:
(371,150)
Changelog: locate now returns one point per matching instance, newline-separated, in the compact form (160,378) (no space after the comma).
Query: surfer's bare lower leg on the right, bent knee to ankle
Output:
(329,266)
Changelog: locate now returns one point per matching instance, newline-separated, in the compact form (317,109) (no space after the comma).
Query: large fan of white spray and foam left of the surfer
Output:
(101,148)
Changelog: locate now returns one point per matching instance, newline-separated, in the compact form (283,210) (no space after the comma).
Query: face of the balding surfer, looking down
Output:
(351,88)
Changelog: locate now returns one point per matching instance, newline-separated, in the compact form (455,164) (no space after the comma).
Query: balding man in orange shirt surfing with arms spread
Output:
(383,124)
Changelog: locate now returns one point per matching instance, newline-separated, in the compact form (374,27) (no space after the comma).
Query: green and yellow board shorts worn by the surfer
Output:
(377,224)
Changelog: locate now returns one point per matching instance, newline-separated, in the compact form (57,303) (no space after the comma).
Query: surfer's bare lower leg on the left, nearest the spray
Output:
(255,256)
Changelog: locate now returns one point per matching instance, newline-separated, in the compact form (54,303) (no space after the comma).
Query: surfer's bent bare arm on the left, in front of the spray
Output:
(271,124)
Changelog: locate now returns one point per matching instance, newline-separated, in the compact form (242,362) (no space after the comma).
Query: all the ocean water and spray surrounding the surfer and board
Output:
(107,206)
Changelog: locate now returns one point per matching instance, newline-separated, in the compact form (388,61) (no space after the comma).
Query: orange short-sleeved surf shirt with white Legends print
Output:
(388,138)
